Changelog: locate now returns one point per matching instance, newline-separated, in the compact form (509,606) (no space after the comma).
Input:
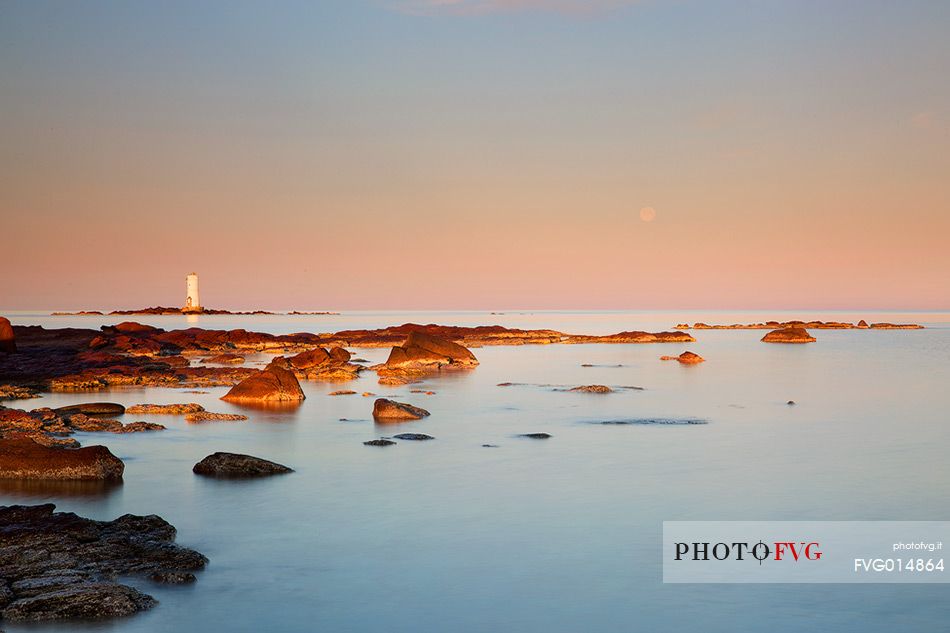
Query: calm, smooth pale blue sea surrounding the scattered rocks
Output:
(540,535)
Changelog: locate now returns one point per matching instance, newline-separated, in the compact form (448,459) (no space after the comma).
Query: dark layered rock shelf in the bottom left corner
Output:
(58,566)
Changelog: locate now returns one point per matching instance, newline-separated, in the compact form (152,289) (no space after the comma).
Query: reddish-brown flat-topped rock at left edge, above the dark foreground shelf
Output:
(26,459)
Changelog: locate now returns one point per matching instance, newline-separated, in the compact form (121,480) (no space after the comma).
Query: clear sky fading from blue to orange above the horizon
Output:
(475,154)
